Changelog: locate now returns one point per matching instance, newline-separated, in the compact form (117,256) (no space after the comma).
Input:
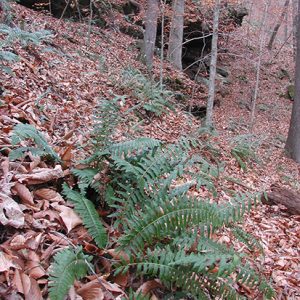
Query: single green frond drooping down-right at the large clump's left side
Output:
(89,215)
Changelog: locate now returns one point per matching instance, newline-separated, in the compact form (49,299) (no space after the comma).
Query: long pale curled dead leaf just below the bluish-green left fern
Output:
(41,175)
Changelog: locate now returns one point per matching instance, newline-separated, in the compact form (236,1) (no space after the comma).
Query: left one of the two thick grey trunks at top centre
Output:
(150,32)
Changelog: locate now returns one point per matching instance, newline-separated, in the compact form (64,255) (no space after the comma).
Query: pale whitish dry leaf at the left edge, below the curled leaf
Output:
(10,212)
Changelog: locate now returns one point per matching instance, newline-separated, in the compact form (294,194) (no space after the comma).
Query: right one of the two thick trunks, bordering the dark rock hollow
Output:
(176,34)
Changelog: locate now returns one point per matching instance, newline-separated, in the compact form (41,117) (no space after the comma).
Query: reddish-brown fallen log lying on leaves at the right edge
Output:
(284,196)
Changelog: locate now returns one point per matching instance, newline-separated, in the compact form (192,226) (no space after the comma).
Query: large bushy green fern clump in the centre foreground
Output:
(166,232)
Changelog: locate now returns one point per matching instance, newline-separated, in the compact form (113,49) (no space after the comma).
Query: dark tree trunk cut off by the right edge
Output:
(293,141)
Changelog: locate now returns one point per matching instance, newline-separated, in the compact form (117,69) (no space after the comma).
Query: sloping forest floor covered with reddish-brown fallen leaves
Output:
(56,87)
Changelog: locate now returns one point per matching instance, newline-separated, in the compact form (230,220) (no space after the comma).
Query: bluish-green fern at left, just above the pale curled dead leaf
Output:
(26,132)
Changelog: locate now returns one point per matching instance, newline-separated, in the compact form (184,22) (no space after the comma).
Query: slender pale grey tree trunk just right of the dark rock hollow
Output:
(213,66)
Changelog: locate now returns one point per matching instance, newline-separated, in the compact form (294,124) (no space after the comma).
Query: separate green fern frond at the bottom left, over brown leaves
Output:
(69,265)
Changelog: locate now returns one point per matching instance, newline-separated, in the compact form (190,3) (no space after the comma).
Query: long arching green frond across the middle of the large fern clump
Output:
(169,217)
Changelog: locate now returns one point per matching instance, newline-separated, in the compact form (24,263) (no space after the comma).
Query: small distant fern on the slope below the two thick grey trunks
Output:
(149,94)
